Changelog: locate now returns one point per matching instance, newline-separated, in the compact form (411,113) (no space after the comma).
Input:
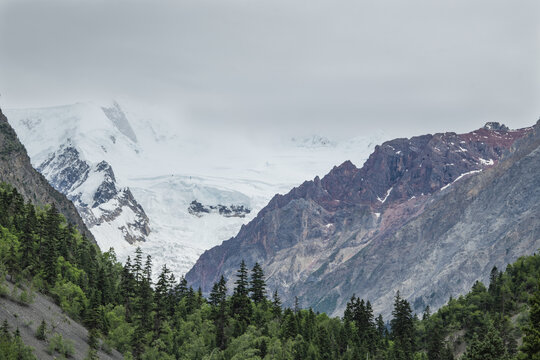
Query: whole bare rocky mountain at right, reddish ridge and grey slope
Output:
(427,216)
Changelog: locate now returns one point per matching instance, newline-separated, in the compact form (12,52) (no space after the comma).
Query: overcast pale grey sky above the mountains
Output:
(336,67)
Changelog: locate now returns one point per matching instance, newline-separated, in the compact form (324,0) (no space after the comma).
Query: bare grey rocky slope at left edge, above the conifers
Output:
(16,169)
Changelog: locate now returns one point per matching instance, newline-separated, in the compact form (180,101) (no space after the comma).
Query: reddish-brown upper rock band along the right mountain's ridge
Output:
(410,167)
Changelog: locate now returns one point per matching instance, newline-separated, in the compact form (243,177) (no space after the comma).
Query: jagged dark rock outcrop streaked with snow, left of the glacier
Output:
(94,191)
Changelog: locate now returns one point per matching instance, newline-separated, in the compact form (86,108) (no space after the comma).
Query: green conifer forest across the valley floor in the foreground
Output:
(143,316)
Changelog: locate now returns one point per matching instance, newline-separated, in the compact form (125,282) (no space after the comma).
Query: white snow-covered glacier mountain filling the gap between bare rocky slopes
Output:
(133,172)
